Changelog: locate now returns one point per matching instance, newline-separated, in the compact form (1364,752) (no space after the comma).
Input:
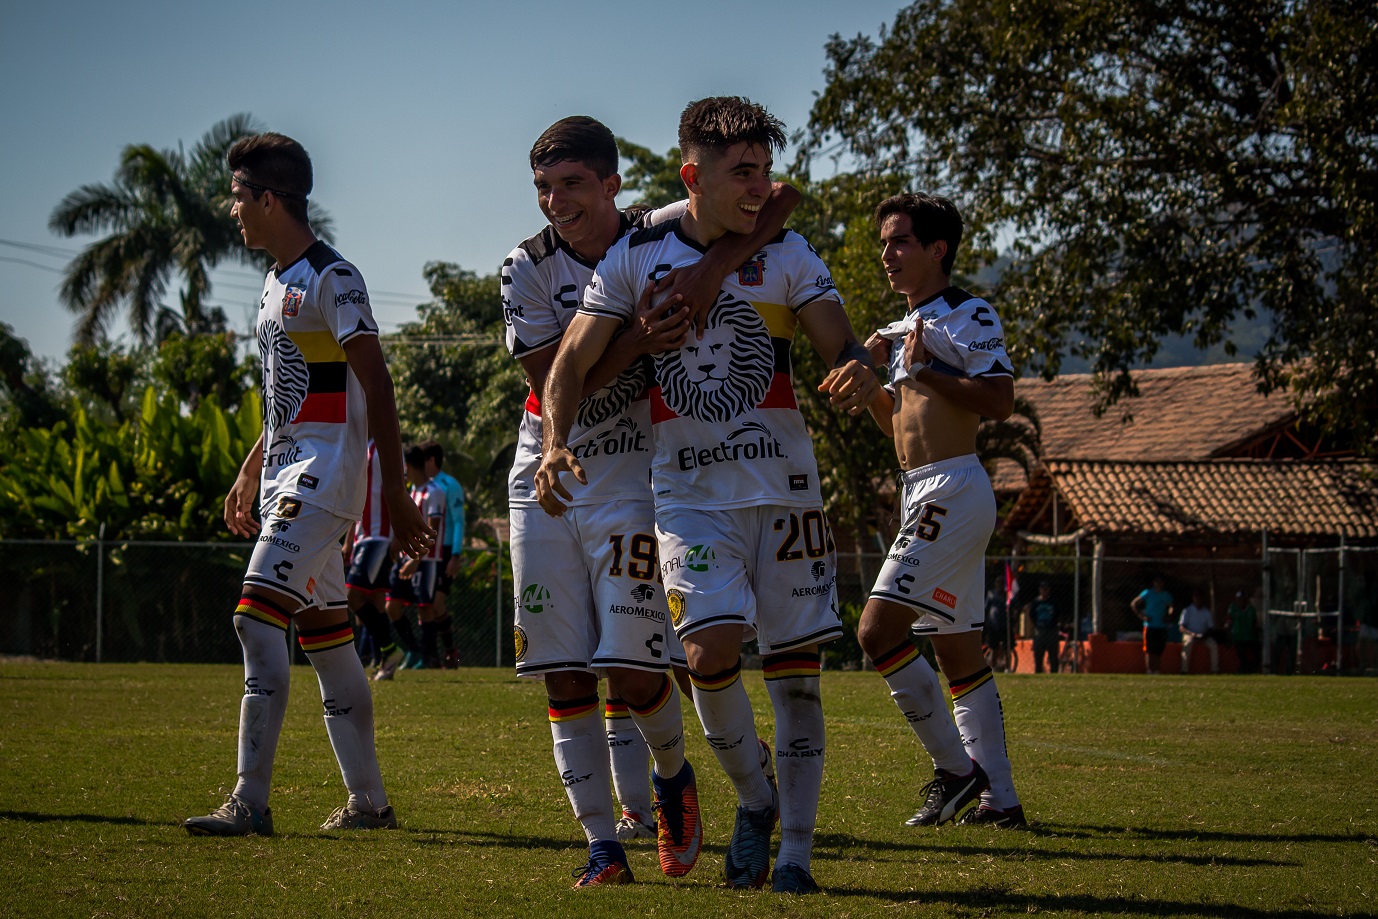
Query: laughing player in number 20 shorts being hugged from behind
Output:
(745,546)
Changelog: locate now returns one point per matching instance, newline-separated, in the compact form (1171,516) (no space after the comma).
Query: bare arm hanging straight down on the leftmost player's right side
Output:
(367,363)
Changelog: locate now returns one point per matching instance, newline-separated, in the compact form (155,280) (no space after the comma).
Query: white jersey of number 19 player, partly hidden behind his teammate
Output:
(544,282)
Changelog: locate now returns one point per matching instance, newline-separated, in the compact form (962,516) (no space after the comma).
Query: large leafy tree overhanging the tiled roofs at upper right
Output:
(1162,167)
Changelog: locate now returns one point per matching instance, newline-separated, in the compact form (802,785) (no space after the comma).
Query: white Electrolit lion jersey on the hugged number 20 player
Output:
(728,431)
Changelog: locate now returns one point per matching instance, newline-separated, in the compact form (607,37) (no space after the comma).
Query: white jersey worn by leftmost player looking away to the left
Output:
(315,415)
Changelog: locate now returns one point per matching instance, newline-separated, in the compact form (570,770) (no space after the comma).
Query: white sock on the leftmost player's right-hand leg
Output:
(349,712)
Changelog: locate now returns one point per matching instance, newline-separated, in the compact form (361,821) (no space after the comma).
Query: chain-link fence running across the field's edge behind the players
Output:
(173,603)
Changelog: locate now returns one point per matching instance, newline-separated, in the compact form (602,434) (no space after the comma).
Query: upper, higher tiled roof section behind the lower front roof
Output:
(1180,414)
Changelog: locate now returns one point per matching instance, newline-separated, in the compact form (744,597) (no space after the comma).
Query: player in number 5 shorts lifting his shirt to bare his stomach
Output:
(949,371)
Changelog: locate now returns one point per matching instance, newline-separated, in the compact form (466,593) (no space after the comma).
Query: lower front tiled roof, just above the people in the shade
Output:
(1286,498)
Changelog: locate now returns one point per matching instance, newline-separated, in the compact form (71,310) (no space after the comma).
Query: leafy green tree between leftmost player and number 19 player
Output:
(457,384)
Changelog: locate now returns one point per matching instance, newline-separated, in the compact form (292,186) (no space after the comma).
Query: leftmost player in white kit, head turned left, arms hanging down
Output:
(326,388)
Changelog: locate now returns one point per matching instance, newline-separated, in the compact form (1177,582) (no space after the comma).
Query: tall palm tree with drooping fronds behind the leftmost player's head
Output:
(169,216)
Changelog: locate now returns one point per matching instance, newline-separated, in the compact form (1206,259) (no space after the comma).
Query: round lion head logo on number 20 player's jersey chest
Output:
(727,373)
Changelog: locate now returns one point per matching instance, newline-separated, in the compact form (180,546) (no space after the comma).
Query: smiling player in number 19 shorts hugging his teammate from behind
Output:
(613,617)
